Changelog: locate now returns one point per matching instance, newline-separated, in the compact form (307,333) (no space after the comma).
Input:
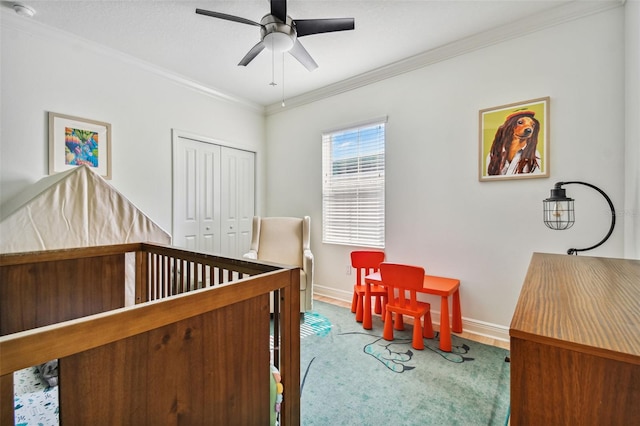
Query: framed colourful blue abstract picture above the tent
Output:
(75,141)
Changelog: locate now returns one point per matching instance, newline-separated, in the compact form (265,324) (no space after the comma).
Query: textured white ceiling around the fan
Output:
(206,50)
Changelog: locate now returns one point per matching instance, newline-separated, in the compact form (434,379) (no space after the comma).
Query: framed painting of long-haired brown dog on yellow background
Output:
(514,141)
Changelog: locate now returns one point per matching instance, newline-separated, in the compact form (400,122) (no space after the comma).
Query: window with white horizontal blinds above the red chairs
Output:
(353,185)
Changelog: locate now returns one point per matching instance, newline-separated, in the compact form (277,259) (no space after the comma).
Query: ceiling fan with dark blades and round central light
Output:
(280,33)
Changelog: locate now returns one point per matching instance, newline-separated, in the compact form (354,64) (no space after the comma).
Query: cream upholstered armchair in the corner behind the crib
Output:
(285,240)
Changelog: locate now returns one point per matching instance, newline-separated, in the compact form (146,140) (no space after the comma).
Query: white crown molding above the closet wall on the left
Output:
(11,20)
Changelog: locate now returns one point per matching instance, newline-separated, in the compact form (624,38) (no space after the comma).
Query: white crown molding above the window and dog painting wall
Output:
(568,12)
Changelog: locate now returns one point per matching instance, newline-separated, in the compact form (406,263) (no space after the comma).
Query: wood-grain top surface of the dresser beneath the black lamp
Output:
(587,304)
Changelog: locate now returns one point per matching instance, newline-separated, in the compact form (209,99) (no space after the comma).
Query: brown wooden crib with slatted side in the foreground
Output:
(193,350)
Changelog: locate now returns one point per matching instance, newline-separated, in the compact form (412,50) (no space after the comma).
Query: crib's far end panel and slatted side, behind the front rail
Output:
(94,280)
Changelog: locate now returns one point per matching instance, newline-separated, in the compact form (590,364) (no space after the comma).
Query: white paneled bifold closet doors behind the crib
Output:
(213,196)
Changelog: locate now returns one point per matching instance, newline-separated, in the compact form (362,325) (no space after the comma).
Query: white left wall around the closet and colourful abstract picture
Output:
(44,70)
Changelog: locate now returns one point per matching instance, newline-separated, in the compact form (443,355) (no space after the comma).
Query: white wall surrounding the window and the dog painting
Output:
(438,214)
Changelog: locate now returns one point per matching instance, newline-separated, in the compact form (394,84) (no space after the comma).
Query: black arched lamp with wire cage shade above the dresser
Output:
(558,212)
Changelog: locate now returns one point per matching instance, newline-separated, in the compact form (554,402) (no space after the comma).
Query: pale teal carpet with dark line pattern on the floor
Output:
(352,376)
